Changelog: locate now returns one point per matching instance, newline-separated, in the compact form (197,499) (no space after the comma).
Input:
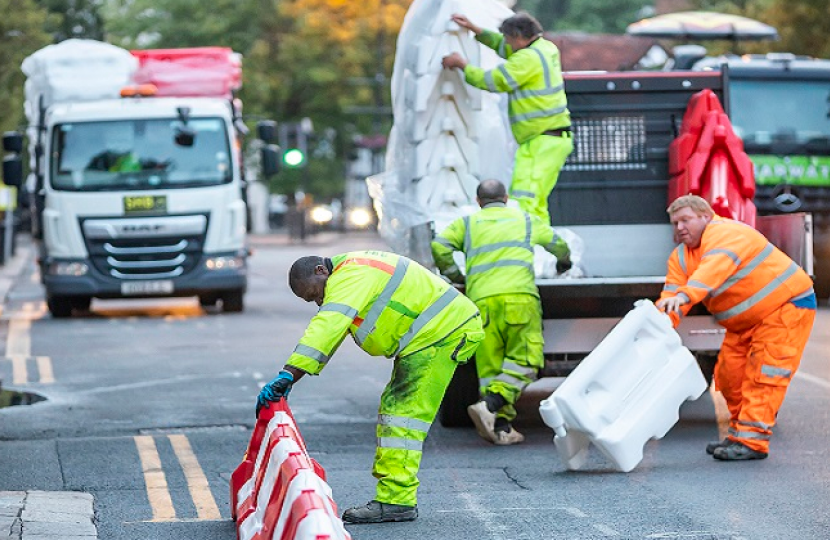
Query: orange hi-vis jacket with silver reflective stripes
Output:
(737,273)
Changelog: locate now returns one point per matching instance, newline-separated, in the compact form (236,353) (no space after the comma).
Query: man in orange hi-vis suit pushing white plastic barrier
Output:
(763,299)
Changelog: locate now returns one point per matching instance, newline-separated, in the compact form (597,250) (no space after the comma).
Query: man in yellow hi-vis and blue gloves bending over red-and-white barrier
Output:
(396,308)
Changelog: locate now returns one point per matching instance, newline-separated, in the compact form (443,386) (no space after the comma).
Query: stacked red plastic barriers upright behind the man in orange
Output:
(708,159)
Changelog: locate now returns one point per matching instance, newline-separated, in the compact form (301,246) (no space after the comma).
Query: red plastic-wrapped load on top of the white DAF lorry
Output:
(193,72)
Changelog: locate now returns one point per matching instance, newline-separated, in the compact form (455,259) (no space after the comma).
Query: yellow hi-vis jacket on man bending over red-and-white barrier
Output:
(391,306)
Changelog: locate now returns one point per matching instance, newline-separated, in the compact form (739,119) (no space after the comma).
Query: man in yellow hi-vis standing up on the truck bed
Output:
(537,105)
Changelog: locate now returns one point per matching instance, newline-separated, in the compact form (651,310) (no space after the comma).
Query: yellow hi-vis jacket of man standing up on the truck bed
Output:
(532,79)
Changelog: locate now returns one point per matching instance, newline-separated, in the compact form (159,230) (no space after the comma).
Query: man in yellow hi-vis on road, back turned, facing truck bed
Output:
(497,242)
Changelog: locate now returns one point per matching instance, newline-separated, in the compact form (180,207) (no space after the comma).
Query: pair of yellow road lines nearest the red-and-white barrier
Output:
(158,492)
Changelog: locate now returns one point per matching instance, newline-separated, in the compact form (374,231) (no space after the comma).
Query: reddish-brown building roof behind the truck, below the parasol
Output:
(603,52)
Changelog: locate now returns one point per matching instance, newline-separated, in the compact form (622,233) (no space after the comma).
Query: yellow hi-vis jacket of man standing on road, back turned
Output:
(497,242)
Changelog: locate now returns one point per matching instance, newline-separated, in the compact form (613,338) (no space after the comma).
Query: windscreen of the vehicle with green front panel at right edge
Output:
(765,112)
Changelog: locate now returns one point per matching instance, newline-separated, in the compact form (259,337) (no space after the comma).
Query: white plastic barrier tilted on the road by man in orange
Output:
(626,392)
